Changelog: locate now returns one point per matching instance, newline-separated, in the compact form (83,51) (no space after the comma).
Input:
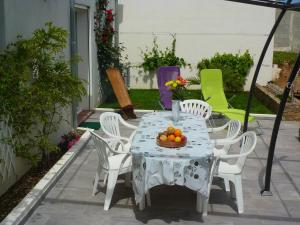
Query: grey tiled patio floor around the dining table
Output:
(70,202)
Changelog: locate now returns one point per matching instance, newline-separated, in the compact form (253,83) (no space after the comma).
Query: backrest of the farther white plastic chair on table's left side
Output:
(110,123)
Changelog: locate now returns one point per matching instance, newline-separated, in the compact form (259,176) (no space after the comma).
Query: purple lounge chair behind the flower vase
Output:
(165,74)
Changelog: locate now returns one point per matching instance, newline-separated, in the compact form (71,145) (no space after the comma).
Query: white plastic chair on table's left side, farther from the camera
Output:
(110,124)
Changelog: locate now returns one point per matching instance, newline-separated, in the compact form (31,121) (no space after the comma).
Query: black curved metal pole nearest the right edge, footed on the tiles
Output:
(289,84)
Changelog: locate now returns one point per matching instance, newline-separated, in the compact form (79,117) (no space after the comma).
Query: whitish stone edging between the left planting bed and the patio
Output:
(25,208)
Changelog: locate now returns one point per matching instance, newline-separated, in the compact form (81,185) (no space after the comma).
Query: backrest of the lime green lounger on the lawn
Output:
(212,88)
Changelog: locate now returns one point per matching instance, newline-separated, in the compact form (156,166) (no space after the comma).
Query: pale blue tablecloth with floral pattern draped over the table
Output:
(154,165)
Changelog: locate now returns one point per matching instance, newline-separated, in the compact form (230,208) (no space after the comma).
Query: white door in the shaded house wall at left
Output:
(82,32)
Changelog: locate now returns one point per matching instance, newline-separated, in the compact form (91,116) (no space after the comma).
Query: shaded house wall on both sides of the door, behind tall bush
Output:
(19,17)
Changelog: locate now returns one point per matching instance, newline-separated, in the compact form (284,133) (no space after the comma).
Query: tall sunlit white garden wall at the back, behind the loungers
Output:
(202,28)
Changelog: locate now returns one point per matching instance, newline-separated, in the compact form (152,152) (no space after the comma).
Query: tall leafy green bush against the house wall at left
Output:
(36,85)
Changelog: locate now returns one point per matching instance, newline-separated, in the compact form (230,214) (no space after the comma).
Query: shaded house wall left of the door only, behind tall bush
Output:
(22,18)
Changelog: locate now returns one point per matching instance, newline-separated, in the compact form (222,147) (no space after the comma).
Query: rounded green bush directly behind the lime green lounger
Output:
(235,68)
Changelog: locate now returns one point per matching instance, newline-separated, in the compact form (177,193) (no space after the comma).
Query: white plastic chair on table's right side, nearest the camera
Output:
(232,172)
